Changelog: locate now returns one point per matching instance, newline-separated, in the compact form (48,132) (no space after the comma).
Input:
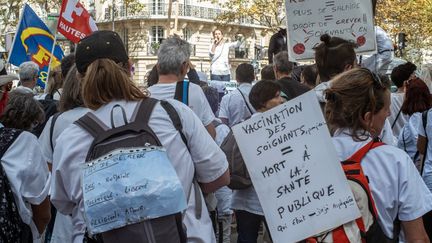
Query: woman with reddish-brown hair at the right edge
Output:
(417,100)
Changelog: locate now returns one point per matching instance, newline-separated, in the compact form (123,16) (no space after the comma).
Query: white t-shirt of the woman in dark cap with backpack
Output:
(206,161)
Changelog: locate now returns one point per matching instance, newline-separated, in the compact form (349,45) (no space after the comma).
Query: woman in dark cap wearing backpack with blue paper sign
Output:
(123,116)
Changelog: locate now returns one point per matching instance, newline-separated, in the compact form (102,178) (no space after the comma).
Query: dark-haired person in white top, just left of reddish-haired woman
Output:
(399,76)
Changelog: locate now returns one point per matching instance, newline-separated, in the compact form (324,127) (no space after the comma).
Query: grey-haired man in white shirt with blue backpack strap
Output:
(173,65)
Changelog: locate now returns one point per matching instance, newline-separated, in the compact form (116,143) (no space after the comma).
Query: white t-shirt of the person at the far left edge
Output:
(28,176)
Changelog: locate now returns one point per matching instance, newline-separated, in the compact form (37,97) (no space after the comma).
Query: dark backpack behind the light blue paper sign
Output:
(135,133)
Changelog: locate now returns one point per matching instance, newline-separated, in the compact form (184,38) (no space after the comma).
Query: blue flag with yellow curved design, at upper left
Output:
(33,42)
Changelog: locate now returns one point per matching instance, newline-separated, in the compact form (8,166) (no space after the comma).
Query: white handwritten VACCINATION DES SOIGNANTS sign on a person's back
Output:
(295,170)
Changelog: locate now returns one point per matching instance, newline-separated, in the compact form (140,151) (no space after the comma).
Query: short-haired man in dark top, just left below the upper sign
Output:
(282,68)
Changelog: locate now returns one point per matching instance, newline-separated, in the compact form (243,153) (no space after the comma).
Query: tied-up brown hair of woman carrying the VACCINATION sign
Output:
(351,95)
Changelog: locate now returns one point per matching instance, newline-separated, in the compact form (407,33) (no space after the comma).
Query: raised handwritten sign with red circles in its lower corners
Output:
(307,20)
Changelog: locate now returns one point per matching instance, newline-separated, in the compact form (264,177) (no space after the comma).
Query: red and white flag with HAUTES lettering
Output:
(75,22)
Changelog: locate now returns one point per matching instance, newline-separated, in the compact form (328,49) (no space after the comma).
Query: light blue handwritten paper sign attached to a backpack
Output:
(129,186)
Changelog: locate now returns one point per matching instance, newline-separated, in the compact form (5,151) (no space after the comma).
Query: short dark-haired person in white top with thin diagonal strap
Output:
(235,106)
